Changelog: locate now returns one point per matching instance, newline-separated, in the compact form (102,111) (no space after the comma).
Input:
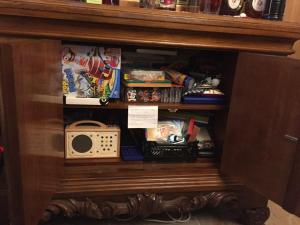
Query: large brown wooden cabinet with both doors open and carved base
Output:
(258,133)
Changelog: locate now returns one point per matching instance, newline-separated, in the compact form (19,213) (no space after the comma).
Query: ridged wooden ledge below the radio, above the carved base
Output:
(137,177)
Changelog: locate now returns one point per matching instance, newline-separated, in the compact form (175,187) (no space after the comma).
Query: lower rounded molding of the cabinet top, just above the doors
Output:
(85,31)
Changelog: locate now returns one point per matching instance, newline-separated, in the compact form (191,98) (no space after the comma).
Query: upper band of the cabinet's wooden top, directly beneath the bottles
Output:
(106,14)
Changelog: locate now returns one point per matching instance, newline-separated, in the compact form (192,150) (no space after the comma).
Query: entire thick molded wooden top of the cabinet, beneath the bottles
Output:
(103,23)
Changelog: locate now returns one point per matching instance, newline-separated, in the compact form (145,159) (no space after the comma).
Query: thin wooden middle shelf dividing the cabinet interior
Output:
(123,105)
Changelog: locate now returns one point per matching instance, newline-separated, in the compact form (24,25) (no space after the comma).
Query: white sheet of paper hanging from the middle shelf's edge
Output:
(142,116)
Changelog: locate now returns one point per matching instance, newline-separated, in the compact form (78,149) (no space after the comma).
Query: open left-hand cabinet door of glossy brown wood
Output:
(32,125)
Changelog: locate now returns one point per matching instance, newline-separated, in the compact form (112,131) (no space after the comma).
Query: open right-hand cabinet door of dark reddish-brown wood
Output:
(261,145)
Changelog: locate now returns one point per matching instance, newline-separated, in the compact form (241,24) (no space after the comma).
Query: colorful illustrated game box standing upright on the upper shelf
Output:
(91,72)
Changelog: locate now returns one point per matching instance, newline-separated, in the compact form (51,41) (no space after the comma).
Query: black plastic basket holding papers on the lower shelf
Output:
(165,152)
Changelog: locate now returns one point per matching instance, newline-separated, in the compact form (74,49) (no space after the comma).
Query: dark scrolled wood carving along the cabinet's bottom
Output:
(140,205)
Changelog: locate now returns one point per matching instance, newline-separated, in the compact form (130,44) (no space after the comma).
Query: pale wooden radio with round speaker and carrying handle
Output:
(91,139)
